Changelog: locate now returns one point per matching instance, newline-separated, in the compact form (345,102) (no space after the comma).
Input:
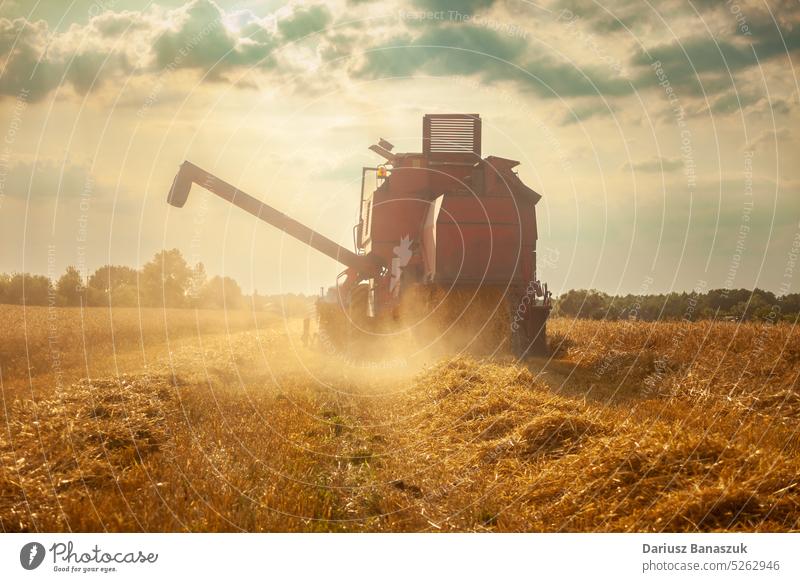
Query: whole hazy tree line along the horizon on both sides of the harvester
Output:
(167,280)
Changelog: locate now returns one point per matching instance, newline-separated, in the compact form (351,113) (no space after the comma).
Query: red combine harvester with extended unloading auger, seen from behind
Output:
(445,245)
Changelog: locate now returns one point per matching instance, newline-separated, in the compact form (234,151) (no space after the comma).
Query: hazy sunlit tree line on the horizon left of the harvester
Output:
(167,280)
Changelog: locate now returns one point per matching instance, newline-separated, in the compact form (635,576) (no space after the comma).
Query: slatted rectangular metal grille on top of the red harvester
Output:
(451,134)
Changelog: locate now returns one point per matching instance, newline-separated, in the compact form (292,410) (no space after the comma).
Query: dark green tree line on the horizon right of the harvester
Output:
(731,304)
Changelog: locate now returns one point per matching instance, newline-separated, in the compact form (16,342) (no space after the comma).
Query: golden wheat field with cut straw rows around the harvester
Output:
(151,420)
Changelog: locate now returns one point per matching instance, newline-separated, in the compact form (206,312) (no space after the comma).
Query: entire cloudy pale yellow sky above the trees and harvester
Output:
(661,135)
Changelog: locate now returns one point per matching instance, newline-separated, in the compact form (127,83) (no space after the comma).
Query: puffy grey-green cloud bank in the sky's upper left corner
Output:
(198,35)
